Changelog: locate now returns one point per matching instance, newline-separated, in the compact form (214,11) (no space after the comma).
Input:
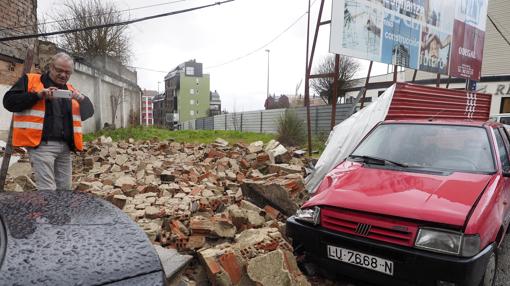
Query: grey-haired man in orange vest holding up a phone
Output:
(48,115)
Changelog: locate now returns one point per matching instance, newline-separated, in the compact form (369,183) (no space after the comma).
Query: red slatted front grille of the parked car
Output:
(378,228)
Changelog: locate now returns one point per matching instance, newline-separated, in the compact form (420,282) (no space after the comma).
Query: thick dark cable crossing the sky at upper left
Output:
(123,23)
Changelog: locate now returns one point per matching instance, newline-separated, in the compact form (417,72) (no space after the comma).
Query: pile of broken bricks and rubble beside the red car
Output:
(224,204)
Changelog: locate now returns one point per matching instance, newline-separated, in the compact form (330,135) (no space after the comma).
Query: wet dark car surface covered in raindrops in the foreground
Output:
(70,238)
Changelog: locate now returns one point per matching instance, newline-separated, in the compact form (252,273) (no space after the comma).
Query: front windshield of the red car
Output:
(432,146)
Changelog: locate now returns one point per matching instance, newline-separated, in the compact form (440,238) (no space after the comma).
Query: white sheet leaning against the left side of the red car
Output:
(346,136)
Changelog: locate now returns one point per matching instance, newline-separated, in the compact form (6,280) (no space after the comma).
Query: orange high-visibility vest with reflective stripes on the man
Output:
(28,124)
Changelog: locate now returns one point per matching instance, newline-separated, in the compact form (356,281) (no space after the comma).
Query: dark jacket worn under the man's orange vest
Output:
(58,118)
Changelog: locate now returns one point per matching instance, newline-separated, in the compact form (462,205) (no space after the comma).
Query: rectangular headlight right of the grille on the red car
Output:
(449,242)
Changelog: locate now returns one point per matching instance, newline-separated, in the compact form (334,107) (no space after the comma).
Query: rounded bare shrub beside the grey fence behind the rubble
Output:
(291,131)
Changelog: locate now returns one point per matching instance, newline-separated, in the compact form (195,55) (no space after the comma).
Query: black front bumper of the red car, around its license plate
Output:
(411,266)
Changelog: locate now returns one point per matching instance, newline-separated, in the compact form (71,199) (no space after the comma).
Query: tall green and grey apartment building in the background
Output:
(187,93)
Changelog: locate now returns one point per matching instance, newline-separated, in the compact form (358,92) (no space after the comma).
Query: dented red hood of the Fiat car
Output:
(445,199)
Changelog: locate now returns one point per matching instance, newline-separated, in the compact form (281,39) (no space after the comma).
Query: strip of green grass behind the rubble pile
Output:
(187,136)
